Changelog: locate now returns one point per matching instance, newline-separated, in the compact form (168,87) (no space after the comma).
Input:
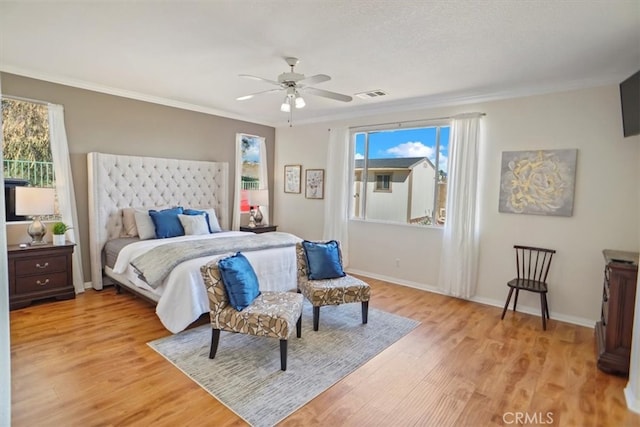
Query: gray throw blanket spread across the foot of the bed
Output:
(154,265)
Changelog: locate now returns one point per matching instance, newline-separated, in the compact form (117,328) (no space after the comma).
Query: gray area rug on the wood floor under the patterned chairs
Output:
(246,377)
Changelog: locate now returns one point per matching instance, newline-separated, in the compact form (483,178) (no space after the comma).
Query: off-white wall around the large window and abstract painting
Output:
(606,207)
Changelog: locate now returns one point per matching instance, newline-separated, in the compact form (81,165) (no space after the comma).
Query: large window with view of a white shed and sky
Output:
(400,175)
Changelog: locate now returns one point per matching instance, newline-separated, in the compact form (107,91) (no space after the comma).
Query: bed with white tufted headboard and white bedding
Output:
(118,183)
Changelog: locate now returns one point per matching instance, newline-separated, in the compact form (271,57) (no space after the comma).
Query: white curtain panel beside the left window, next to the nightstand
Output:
(64,187)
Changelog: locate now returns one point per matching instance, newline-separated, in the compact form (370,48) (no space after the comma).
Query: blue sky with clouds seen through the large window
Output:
(419,142)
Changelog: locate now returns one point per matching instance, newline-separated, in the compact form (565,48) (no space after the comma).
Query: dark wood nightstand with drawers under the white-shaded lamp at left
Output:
(38,272)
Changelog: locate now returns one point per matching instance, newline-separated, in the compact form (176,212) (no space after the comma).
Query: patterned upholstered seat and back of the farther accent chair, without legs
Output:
(342,290)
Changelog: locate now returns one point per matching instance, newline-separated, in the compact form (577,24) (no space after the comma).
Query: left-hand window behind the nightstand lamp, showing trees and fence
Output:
(26,147)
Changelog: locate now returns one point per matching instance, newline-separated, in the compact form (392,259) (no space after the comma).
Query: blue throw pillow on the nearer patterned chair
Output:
(239,280)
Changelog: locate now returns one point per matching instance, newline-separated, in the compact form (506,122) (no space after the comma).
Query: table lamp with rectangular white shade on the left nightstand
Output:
(34,202)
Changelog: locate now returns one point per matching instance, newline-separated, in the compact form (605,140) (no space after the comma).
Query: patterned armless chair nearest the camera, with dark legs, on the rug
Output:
(271,314)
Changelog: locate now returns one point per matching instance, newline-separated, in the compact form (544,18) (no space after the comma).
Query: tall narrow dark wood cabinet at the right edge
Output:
(615,328)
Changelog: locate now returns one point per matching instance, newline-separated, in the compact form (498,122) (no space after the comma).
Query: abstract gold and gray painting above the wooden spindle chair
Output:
(539,182)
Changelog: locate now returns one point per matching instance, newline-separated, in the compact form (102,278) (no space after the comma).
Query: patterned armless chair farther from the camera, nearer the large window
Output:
(330,291)
